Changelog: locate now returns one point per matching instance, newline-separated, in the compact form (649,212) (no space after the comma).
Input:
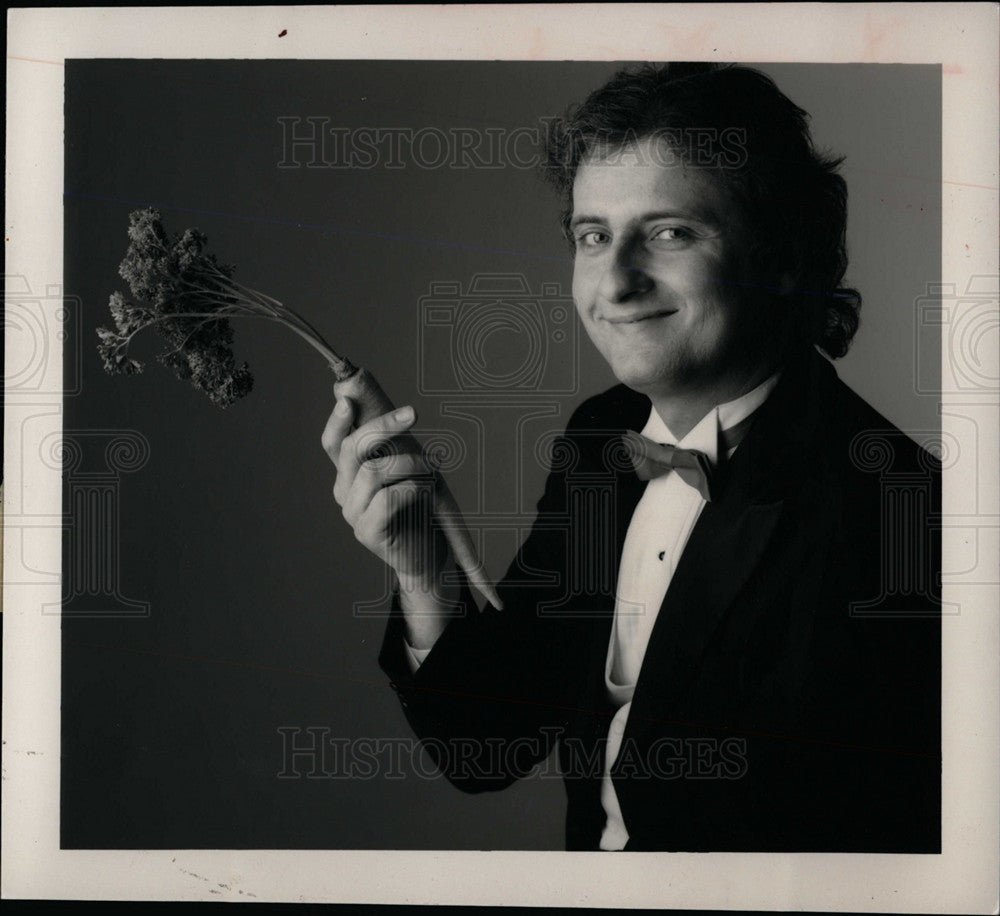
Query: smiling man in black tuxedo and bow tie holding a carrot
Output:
(749,684)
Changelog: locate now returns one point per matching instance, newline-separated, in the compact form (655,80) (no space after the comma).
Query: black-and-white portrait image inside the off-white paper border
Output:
(502,455)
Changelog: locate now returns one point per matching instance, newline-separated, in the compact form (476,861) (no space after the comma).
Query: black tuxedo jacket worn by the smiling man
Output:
(789,698)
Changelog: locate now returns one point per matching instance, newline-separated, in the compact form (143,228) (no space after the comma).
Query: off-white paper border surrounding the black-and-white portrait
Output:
(962,38)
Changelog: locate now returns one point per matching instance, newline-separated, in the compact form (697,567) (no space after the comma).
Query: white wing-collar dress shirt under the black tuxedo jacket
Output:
(657,534)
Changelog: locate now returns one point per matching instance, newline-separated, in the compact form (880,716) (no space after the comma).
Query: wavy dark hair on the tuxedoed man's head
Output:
(734,122)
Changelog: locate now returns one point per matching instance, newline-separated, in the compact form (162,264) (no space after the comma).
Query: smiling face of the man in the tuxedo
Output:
(657,273)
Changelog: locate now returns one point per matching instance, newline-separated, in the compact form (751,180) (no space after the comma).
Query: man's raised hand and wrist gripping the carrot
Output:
(385,488)
